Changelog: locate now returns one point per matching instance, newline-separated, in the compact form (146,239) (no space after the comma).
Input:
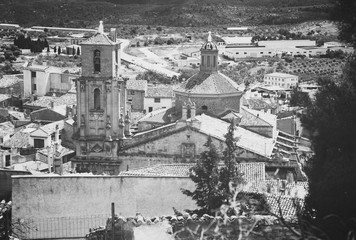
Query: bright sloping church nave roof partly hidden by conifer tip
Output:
(247,140)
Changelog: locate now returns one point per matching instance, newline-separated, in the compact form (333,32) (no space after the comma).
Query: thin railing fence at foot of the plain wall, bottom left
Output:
(58,228)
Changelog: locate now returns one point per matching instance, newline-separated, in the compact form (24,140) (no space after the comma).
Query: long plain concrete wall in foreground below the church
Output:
(37,198)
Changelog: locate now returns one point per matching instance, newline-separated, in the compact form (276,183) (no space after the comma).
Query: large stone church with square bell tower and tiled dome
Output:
(205,105)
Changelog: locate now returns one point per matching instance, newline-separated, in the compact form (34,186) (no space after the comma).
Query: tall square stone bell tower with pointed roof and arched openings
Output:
(102,120)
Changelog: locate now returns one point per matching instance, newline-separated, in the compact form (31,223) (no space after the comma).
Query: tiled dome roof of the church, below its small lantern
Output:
(209,83)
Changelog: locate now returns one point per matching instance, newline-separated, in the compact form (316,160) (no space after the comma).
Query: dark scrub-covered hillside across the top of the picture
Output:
(81,13)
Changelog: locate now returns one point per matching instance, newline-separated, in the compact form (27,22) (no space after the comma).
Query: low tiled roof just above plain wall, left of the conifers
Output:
(163,170)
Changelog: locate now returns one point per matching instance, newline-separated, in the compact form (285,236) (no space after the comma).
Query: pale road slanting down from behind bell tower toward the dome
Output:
(158,68)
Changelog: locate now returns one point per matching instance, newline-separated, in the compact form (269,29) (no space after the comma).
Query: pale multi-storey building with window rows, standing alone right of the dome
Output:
(283,80)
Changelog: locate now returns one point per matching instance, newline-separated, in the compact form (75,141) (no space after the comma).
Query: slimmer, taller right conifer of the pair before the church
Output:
(229,174)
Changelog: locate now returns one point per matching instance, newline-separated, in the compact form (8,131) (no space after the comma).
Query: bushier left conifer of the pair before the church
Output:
(205,176)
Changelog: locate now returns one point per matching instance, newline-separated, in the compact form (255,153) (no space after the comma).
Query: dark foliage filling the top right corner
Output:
(343,13)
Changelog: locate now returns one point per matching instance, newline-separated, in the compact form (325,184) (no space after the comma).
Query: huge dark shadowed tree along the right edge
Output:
(331,171)
